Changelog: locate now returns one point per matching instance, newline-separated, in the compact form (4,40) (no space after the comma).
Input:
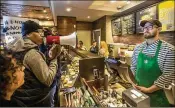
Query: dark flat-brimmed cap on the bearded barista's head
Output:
(154,22)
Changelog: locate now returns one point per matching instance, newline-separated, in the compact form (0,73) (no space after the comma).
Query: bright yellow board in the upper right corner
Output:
(166,14)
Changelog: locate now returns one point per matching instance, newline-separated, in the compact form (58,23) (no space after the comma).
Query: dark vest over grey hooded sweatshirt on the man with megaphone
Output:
(38,76)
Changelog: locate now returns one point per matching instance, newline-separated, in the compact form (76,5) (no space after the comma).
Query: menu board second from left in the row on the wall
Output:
(128,24)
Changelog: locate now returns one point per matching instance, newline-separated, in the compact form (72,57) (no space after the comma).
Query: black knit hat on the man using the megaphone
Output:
(29,26)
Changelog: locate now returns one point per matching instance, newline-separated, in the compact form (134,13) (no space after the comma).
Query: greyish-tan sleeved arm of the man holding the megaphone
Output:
(38,66)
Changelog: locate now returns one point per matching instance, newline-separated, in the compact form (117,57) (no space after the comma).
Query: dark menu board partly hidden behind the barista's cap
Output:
(146,14)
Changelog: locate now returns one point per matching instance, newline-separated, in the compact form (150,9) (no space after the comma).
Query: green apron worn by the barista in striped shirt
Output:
(147,72)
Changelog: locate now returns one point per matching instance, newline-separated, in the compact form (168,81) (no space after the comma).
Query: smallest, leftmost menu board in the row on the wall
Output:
(116,27)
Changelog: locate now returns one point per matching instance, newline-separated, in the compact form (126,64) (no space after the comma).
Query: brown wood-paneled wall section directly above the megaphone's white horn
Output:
(66,25)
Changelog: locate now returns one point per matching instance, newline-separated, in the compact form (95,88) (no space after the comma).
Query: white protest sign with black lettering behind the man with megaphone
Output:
(12,30)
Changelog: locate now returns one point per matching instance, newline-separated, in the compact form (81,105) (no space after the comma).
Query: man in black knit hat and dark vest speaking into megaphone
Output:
(39,84)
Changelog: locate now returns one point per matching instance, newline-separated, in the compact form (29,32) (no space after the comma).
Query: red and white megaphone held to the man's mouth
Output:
(62,40)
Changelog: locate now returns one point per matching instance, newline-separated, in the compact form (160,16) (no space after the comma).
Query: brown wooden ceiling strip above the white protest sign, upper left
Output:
(26,11)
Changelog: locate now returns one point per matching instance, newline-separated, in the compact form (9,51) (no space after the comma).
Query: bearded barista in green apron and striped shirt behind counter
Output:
(153,64)
